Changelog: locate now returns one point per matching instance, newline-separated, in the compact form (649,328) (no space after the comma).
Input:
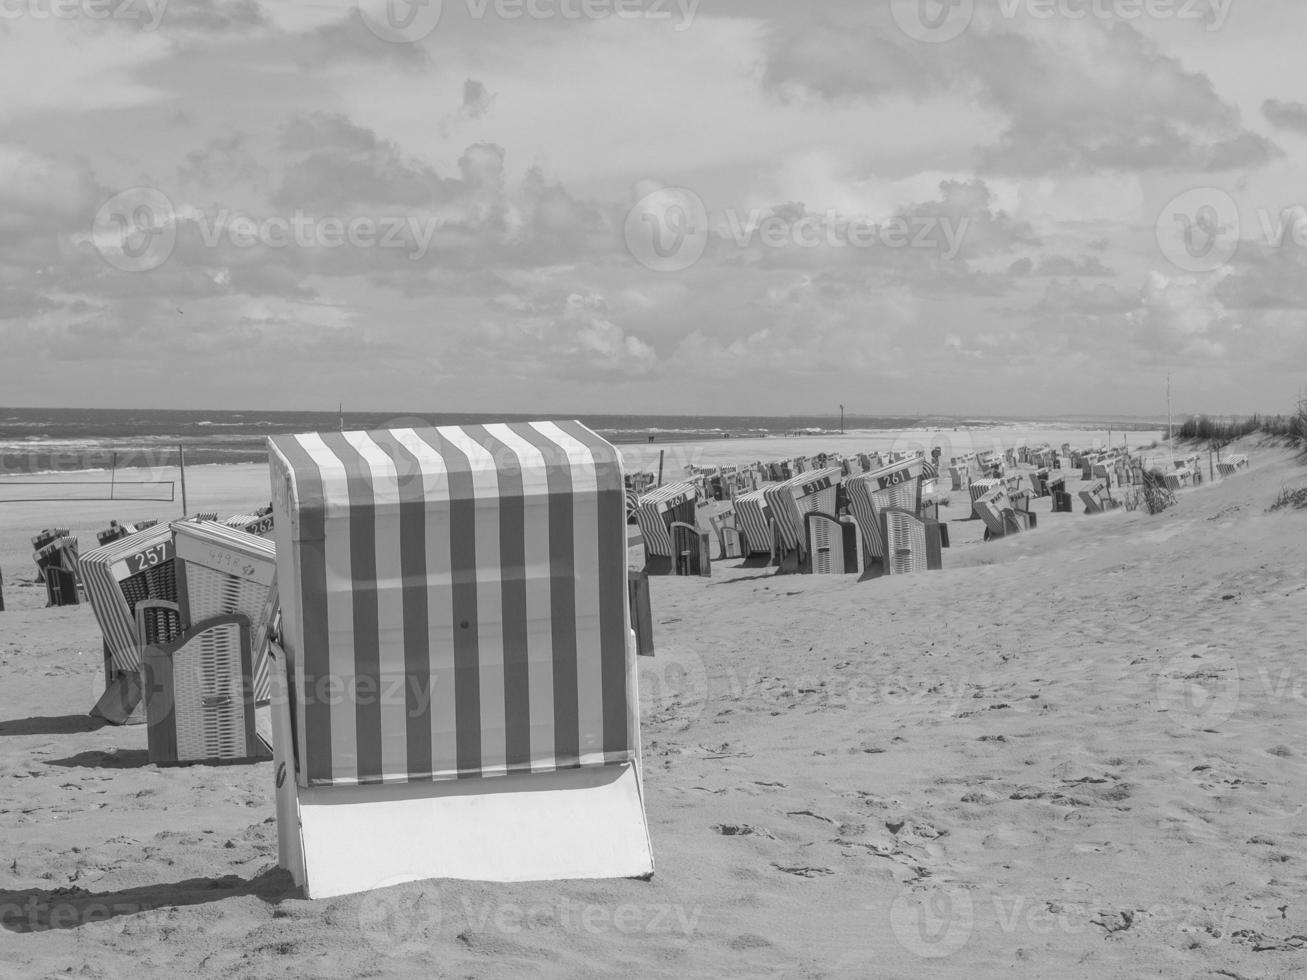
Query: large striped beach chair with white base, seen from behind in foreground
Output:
(454,692)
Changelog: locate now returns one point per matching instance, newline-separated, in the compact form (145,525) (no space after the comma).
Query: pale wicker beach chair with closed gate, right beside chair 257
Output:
(206,679)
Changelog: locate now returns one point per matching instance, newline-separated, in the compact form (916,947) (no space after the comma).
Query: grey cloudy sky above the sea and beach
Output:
(735,207)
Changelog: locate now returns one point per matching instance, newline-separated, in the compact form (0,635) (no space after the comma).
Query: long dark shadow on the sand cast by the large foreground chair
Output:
(41,910)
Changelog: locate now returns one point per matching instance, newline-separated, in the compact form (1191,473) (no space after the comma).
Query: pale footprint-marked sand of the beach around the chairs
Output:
(1076,753)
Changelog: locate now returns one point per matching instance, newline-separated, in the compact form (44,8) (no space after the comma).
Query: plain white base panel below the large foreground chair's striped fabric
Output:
(542,826)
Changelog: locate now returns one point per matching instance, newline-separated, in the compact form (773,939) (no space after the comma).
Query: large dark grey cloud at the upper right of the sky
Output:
(1079,97)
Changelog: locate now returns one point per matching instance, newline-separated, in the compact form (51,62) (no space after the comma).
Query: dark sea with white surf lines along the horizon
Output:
(50,441)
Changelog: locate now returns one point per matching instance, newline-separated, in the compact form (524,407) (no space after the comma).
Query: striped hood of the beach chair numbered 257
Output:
(118,576)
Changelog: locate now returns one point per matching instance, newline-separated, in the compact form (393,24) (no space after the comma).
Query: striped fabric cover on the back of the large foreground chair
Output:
(454,602)
